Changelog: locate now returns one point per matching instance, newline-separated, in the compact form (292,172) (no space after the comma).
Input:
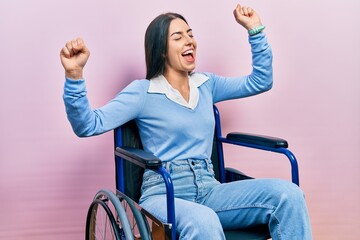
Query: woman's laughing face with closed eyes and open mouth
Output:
(181,52)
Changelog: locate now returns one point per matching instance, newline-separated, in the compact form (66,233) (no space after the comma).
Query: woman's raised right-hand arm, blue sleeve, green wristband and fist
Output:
(260,79)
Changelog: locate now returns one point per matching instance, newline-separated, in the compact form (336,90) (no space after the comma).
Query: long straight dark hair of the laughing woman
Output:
(156,42)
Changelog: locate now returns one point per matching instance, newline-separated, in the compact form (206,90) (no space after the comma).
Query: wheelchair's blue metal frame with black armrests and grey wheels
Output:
(148,161)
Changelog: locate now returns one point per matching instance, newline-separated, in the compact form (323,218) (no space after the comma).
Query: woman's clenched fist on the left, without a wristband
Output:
(74,57)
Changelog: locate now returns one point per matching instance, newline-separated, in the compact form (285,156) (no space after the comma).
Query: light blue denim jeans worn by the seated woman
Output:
(204,207)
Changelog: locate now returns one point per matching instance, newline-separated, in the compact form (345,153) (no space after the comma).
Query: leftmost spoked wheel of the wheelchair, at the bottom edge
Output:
(107,218)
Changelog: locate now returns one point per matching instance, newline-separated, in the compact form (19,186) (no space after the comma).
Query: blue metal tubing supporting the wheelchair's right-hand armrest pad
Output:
(220,140)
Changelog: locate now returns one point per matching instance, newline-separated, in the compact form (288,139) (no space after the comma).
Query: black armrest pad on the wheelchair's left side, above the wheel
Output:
(139,157)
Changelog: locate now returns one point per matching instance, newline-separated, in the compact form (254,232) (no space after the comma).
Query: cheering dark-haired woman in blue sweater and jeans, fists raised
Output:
(173,110)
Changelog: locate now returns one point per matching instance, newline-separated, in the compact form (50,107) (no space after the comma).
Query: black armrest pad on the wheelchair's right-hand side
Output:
(259,140)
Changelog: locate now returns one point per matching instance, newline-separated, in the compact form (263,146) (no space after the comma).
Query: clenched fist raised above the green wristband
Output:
(247,17)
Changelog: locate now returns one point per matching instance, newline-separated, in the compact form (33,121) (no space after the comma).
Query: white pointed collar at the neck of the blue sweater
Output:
(160,85)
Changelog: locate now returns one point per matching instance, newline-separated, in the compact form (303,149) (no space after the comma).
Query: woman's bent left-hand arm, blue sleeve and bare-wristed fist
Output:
(85,121)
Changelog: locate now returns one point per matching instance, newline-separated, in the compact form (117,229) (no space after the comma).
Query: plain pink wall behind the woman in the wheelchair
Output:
(48,176)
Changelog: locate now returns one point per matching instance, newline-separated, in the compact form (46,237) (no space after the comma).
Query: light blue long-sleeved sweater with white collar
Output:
(170,128)
